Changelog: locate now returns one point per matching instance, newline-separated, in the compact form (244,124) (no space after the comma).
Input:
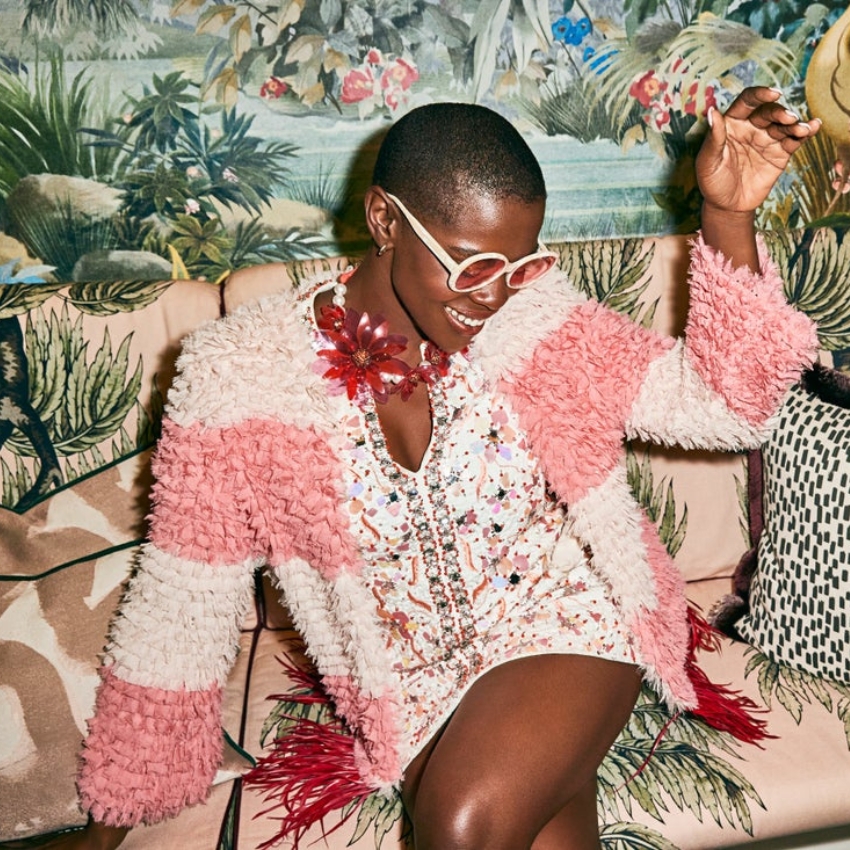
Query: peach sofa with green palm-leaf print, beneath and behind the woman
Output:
(84,369)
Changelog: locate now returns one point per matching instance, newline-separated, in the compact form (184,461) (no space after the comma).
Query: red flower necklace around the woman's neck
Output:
(365,351)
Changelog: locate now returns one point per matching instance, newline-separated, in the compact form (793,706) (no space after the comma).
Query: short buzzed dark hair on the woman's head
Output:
(437,155)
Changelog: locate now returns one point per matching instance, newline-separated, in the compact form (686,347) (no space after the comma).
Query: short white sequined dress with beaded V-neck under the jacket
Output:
(468,558)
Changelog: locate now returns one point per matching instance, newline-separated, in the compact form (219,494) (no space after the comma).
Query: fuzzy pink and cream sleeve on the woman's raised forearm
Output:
(744,346)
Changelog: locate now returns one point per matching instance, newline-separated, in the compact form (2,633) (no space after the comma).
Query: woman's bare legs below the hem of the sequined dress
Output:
(517,761)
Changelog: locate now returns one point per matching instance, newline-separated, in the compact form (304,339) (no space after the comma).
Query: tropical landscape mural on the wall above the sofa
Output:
(144,137)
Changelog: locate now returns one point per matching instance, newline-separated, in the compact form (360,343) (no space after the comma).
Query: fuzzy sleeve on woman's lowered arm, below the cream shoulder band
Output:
(155,741)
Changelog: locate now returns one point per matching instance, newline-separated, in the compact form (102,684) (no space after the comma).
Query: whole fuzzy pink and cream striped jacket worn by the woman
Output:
(249,472)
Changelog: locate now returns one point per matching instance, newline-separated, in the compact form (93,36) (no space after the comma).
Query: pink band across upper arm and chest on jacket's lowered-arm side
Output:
(259,488)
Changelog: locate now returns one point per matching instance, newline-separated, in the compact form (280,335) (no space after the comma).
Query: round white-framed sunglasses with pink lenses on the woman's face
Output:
(480,270)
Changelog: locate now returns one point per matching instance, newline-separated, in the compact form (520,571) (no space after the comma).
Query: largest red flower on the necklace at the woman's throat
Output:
(361,353)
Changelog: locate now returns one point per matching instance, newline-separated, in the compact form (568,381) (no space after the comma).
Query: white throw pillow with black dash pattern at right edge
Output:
(799,596)
